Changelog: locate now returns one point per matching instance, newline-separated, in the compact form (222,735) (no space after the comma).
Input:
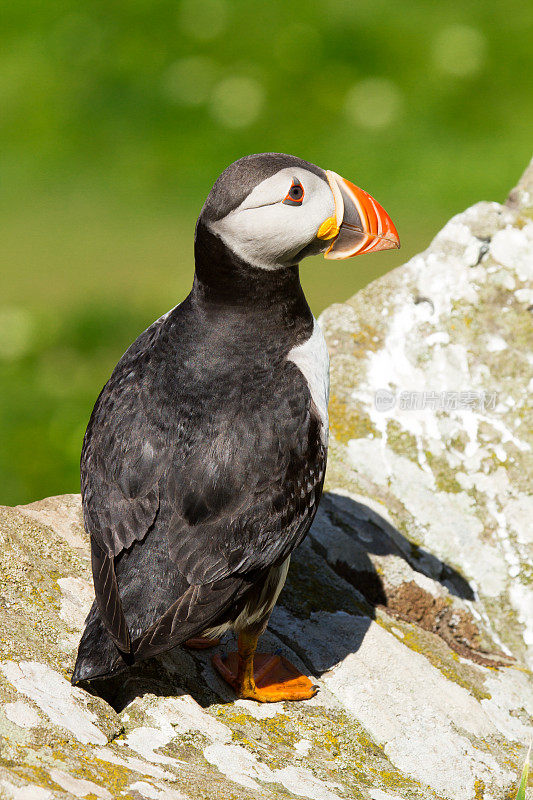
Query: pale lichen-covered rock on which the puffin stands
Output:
(410,602)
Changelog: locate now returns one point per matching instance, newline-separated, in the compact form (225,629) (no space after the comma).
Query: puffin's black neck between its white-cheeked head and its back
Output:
(226,282)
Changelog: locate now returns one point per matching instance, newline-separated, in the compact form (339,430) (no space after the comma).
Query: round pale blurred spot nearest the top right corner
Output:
(459,50)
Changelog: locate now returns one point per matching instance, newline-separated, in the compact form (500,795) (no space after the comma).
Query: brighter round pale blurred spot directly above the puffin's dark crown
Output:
(237,101)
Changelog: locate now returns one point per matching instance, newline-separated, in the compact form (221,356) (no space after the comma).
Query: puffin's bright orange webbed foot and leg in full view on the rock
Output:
(261,676)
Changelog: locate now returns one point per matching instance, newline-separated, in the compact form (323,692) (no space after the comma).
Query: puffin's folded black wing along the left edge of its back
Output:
(120,469)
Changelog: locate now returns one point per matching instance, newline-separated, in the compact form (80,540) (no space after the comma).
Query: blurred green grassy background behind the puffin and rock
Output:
(116,118)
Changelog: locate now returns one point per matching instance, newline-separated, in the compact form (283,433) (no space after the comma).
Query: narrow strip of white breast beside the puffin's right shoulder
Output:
(312,359)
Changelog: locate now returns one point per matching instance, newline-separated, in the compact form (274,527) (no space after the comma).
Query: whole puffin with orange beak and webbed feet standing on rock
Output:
(204,457)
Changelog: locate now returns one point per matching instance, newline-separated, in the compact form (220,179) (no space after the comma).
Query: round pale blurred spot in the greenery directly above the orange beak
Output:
(373,103)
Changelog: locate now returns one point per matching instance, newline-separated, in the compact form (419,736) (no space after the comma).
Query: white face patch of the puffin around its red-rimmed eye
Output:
(268,233)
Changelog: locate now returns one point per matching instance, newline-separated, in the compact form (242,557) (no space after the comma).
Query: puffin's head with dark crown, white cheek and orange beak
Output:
(270,210)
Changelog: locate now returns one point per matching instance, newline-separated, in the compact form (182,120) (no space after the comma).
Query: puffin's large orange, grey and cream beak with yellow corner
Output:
(360,224)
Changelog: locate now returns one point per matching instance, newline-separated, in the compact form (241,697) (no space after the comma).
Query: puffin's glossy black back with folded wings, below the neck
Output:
(235,476)
